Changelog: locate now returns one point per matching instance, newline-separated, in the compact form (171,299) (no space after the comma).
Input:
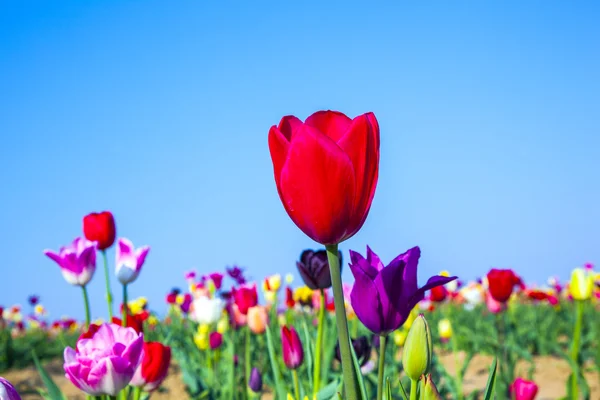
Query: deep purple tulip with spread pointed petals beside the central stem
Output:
(383,298)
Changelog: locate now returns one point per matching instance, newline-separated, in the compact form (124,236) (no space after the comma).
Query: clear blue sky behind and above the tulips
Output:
(159,111)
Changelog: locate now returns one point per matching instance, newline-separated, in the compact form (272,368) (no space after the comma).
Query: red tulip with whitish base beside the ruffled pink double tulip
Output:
(154,367)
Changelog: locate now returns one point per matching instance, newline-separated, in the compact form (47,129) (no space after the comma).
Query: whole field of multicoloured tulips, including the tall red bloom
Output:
(385,335)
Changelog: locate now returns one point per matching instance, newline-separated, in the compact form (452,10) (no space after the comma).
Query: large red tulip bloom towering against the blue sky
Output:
(326,171)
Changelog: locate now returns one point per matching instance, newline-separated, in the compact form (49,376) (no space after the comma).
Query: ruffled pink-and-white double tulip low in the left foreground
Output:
(105,363)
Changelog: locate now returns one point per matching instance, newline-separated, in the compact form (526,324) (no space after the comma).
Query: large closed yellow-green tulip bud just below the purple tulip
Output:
(417,349)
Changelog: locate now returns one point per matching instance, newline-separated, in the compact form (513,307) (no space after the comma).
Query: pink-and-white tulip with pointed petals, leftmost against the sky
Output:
(77,261)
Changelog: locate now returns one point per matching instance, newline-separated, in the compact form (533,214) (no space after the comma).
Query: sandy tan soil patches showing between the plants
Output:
(551,375)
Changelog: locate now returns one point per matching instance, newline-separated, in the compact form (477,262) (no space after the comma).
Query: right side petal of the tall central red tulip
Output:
(361,144)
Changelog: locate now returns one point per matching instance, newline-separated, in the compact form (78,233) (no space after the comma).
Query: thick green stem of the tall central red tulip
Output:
(350,384)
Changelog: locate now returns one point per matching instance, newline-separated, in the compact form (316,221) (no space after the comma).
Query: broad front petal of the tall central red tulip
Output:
(317,186)
